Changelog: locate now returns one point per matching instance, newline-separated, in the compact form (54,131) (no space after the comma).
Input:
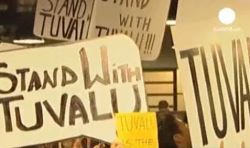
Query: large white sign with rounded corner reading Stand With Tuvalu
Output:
(53,93)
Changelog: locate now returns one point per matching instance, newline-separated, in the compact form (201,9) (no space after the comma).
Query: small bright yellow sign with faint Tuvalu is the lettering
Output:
(138,130)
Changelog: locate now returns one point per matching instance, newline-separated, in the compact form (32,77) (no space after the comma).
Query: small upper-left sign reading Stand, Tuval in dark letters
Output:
(63,19)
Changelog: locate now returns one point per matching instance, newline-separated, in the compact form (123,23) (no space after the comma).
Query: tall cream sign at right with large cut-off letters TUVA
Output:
(214,65)
